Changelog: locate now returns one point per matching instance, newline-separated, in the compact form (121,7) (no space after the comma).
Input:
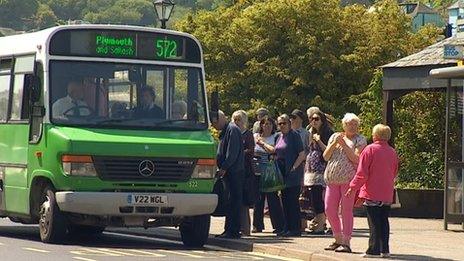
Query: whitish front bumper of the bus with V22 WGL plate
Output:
(136,204)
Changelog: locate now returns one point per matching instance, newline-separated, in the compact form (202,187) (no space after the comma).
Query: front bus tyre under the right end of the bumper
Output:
(195,230)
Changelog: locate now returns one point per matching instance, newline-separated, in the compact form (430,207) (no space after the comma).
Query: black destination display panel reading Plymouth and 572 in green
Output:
(125,44)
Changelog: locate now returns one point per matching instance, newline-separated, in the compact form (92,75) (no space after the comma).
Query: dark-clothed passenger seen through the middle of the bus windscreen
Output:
(148,108)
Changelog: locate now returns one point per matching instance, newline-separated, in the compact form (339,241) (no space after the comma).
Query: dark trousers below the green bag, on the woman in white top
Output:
(275,211)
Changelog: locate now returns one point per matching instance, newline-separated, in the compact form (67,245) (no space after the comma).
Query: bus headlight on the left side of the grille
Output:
(78,166)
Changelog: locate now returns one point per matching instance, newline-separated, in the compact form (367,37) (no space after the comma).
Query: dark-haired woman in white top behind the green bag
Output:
(265,141)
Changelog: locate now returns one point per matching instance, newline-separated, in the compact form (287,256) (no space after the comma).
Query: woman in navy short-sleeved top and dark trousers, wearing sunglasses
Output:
(290,155)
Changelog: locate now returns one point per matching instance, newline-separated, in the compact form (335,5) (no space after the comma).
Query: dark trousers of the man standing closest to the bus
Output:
(235,180)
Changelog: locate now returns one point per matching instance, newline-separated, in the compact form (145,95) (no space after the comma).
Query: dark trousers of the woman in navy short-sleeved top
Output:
(291,208)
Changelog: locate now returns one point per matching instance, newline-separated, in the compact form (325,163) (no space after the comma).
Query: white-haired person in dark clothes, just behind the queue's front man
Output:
(240,118)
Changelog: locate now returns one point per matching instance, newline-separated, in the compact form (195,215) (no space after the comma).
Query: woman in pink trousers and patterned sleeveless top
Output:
(342,156)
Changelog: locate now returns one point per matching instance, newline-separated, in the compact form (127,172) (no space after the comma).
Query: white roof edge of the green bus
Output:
(30,42)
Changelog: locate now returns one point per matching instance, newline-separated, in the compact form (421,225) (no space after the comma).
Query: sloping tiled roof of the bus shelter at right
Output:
(432,55)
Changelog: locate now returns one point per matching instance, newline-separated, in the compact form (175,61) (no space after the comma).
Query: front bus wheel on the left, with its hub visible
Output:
(52,223)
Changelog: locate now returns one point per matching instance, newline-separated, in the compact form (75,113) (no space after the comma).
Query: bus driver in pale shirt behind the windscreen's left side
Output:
(72,104)
